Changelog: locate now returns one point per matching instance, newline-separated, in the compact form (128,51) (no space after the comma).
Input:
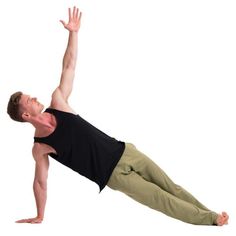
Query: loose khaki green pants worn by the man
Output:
(141,179)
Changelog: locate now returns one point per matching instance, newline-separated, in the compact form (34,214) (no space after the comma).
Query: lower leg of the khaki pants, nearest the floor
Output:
(154,197)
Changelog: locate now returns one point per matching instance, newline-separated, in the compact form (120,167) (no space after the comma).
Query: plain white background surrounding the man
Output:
(159,74)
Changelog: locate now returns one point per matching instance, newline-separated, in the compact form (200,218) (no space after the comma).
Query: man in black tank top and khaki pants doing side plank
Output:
(68,138)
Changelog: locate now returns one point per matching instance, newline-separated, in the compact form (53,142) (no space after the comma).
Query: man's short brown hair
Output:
(13,108)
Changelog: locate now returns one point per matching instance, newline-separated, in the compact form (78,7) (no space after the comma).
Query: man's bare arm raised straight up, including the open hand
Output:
(70,57)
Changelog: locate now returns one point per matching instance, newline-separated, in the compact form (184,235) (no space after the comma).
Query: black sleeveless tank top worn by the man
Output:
(82,147)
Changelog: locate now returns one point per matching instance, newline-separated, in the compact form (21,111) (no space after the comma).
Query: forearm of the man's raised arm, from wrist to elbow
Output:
(70,57)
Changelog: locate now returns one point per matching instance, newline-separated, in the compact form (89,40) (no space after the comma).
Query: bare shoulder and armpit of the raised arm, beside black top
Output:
(58,102)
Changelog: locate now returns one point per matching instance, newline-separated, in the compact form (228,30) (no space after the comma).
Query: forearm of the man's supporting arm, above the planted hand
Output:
(40,193)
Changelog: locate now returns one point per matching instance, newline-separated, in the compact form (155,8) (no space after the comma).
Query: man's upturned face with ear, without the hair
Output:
(30,106)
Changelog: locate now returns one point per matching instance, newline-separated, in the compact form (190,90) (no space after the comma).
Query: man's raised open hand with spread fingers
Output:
(74,21)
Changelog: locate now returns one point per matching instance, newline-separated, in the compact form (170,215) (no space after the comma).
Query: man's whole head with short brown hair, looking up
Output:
(22,107)
